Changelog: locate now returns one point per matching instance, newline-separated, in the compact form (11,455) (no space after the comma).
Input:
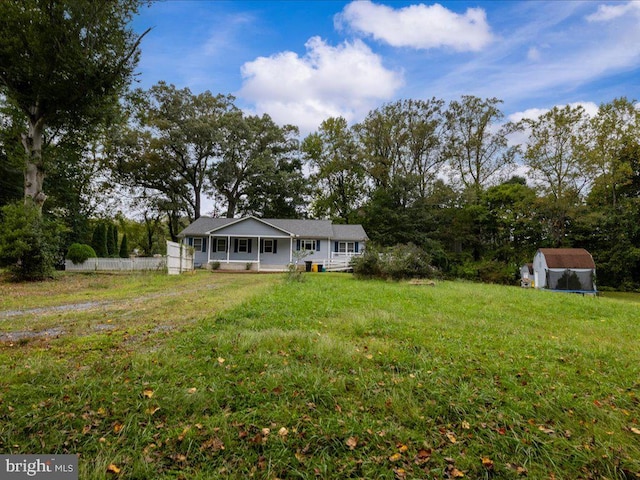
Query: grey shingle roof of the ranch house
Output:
(296,228)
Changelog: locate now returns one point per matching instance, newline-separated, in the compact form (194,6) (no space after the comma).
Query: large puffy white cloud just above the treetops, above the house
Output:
(347,80)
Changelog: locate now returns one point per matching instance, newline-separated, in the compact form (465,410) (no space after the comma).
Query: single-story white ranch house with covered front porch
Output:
(272,244)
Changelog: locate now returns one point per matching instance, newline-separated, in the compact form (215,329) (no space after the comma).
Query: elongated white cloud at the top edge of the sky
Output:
(419,26)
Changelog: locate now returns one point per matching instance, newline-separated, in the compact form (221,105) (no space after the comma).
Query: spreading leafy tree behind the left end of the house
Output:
(174,140)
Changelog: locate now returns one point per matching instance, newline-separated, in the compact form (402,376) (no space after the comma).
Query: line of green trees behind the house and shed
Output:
(478,193)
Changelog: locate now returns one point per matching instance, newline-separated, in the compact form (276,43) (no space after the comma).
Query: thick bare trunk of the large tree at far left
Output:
(34,166)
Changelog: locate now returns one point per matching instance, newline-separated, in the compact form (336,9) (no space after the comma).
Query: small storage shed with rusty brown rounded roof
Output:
(567,269)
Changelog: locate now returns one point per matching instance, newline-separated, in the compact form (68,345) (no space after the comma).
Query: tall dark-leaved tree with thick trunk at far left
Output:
(63,63)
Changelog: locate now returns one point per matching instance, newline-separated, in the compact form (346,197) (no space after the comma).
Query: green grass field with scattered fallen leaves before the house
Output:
(250,376)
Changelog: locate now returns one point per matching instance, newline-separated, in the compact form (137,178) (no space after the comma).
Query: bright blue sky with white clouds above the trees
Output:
(303,61)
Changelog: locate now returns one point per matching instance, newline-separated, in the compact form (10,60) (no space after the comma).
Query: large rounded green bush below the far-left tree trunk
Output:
(29,243)
